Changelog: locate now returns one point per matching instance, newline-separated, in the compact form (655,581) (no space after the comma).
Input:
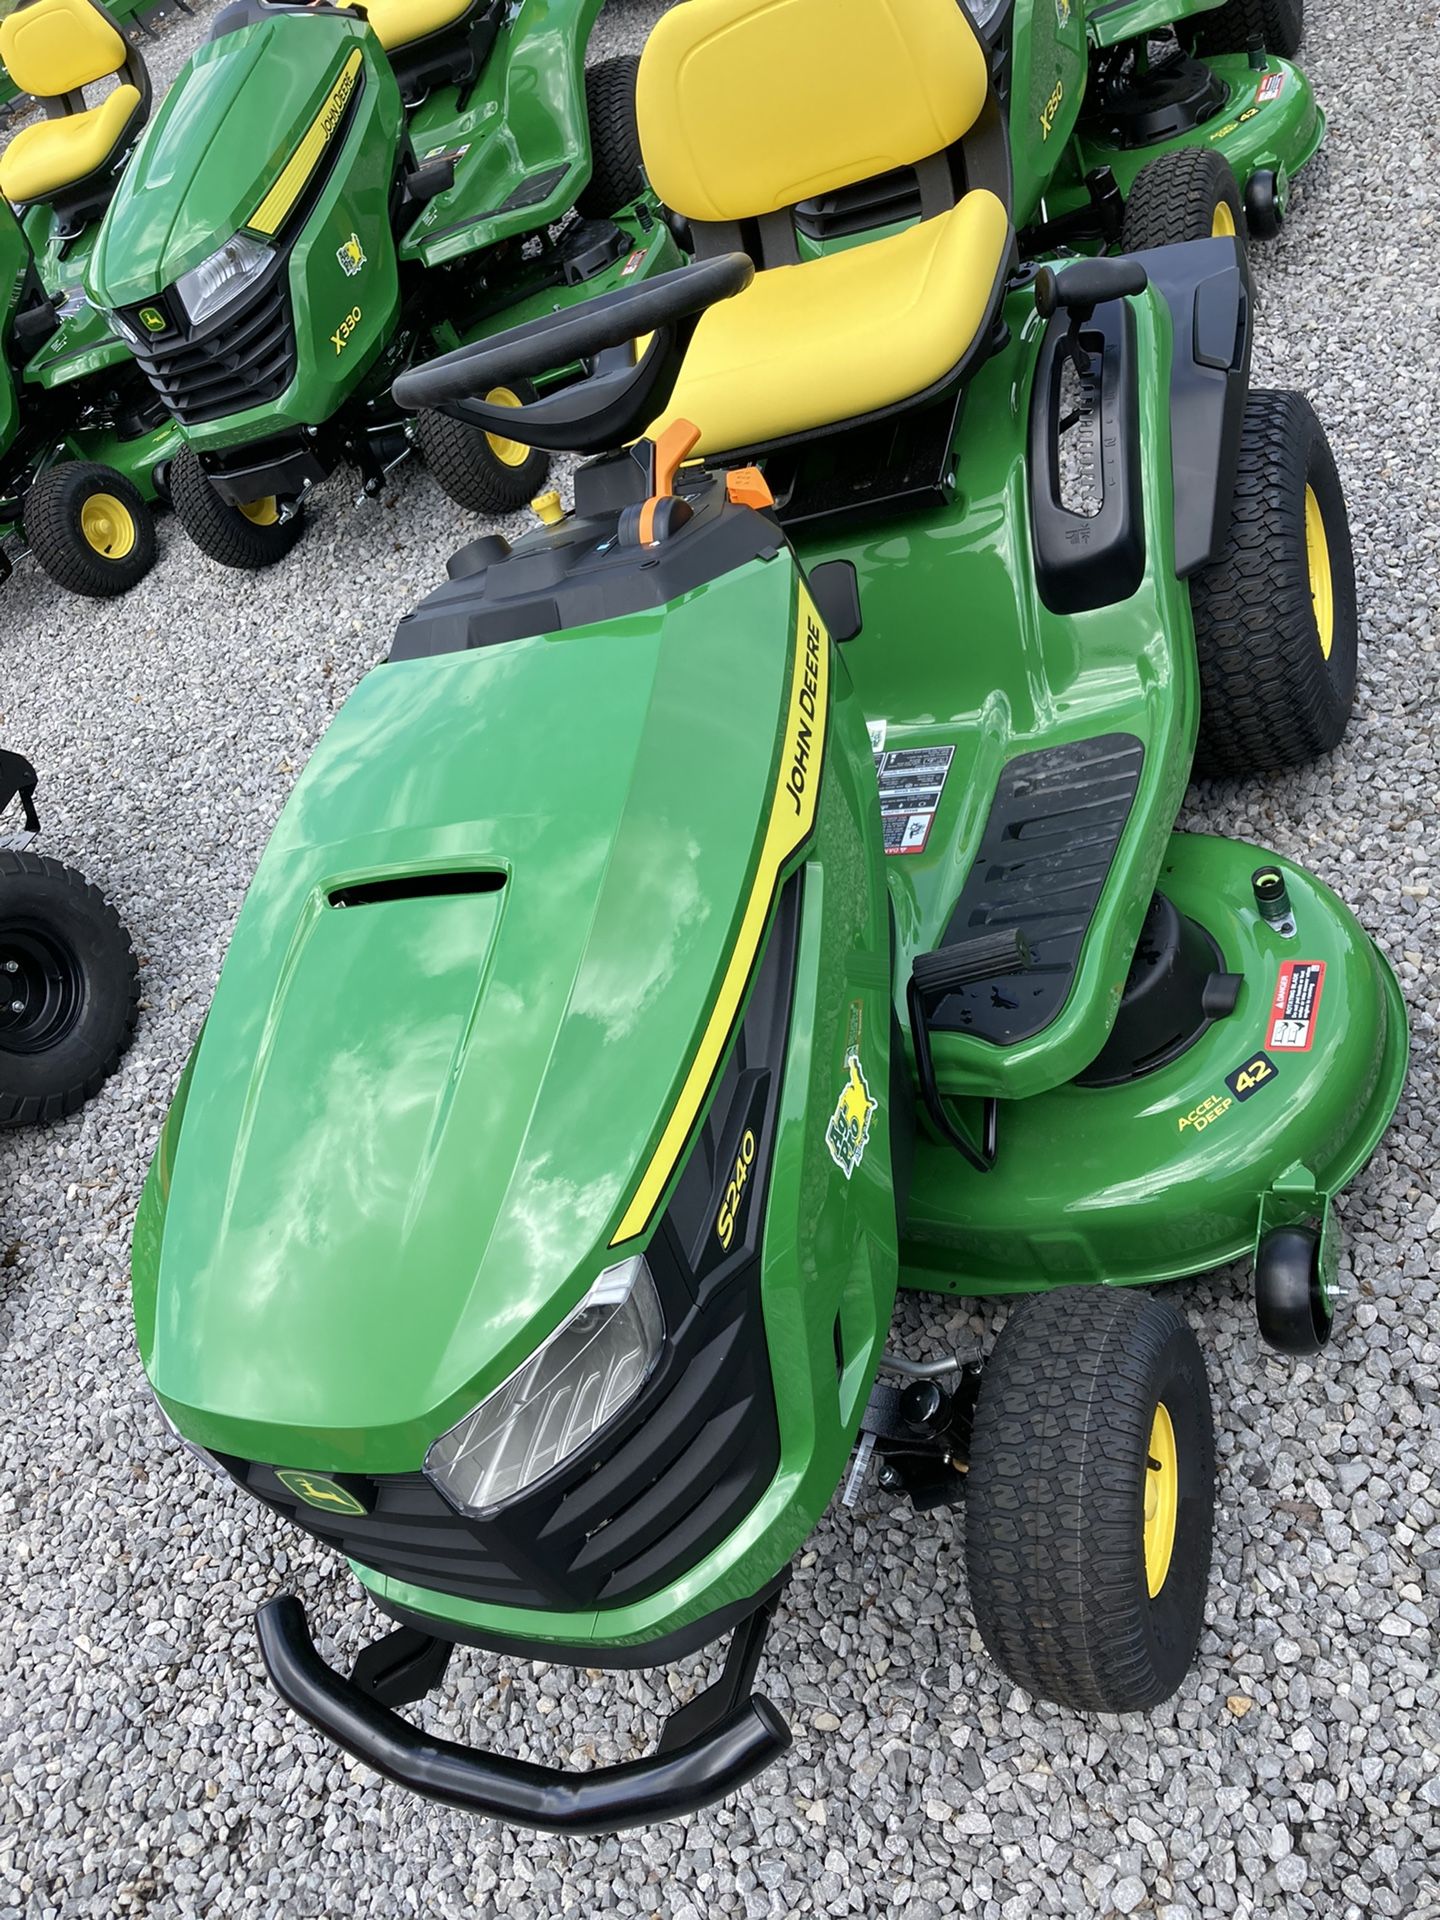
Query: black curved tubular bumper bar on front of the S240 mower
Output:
(727,1750)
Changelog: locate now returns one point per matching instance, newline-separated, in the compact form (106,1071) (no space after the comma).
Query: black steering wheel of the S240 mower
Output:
(617,398)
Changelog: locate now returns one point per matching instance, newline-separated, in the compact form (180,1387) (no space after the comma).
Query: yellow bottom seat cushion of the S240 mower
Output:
(846,335)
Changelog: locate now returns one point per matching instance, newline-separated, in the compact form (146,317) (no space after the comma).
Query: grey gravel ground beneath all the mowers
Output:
(149,1771)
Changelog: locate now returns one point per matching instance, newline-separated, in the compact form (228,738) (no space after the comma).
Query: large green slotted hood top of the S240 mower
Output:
(412,1126)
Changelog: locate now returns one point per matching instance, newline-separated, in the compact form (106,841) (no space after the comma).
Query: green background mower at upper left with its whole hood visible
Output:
(331,193)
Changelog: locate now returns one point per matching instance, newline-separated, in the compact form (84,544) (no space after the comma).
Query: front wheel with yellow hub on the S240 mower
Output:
(1090,1499)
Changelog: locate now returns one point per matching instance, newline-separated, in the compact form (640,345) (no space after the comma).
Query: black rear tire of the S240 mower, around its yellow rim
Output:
(1270,694)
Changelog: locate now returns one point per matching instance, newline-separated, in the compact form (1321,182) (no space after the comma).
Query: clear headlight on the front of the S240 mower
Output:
(575,1385)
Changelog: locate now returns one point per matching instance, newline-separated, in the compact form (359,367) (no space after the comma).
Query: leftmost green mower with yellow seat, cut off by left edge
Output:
(85,446)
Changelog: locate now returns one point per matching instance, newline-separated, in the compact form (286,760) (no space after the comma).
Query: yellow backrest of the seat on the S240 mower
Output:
(750,107)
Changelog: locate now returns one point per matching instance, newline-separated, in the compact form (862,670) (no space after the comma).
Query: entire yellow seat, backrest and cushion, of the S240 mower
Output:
(752,107)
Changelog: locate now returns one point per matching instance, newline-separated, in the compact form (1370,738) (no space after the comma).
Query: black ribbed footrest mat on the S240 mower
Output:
(1044,861)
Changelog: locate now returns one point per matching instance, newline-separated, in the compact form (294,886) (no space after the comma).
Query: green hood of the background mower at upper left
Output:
(220,141)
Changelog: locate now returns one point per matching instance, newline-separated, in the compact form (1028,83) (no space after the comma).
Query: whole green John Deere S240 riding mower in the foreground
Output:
(775,876)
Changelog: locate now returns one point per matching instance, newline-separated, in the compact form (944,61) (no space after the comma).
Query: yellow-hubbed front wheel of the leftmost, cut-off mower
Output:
(89,529)
